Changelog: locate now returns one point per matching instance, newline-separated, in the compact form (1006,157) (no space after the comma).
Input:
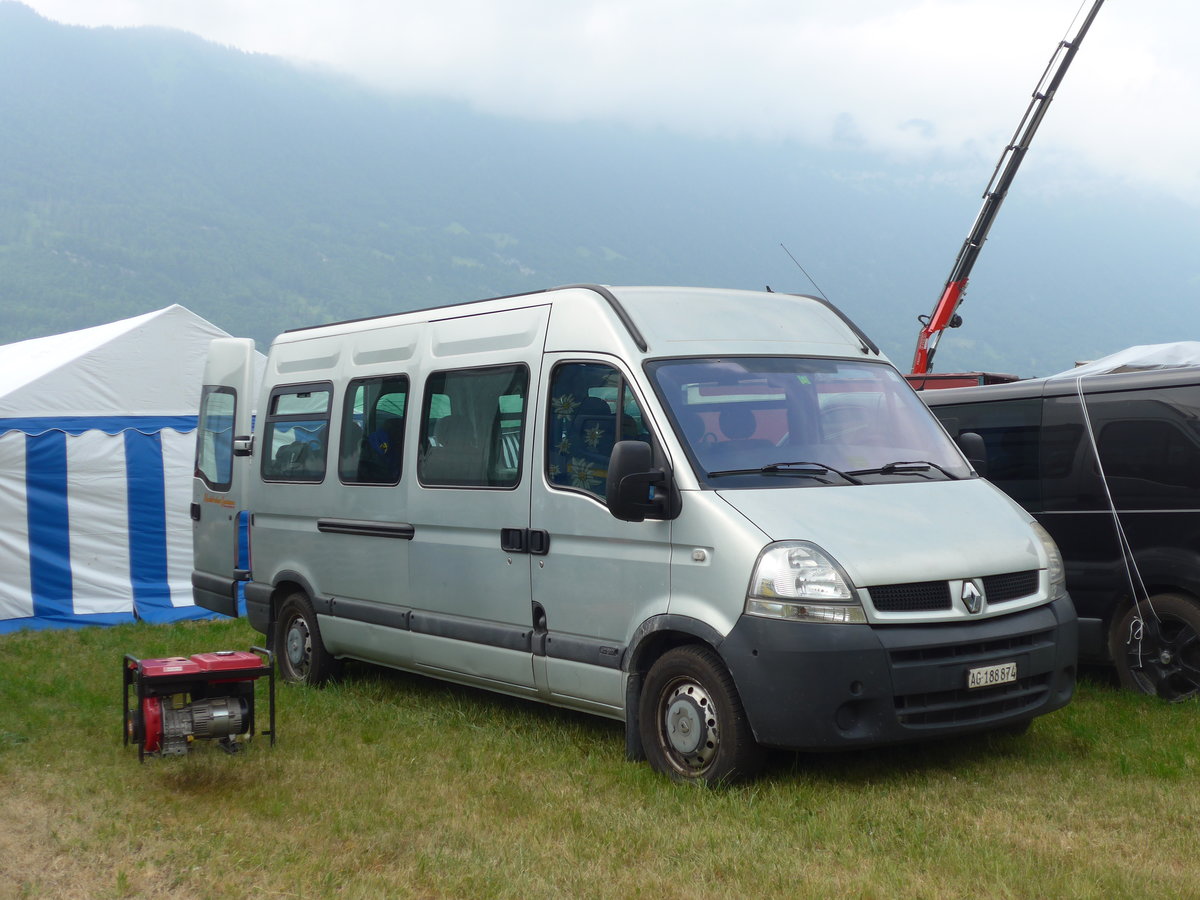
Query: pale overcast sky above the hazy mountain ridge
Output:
(944,81)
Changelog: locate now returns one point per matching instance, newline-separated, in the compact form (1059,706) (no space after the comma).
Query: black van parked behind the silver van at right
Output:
(1111,466)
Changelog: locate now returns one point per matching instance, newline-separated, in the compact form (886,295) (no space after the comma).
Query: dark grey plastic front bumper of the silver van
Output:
(815,687)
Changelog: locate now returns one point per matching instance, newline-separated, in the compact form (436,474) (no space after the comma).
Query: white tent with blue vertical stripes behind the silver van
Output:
(97,445)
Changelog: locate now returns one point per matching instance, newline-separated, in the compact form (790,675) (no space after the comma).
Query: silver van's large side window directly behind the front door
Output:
(473,428)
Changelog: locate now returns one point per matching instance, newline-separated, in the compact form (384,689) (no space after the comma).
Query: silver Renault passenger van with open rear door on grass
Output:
(722,518)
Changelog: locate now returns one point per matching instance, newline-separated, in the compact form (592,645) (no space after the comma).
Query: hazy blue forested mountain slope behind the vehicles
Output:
(147,167)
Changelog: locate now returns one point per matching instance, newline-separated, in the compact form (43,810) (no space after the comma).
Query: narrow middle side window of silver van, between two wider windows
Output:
(374,431)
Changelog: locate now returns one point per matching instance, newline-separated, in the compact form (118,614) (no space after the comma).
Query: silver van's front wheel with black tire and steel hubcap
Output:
(692,721)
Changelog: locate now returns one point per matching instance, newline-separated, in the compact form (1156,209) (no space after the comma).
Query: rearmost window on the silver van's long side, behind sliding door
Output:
(296,435)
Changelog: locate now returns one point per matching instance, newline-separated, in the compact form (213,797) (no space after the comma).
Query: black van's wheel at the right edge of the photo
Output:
(1161,655)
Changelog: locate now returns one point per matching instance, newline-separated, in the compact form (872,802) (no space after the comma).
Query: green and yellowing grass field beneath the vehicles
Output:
(392,785)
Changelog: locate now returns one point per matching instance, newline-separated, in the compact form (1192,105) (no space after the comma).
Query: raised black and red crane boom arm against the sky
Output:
(946,311)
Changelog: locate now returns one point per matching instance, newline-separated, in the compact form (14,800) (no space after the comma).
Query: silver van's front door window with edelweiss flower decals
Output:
(584,424)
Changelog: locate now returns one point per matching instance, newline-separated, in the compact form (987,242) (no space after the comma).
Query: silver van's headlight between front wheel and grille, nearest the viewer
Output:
(801,583)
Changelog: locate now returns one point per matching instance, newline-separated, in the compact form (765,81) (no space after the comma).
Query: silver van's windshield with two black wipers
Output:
(759,422)
